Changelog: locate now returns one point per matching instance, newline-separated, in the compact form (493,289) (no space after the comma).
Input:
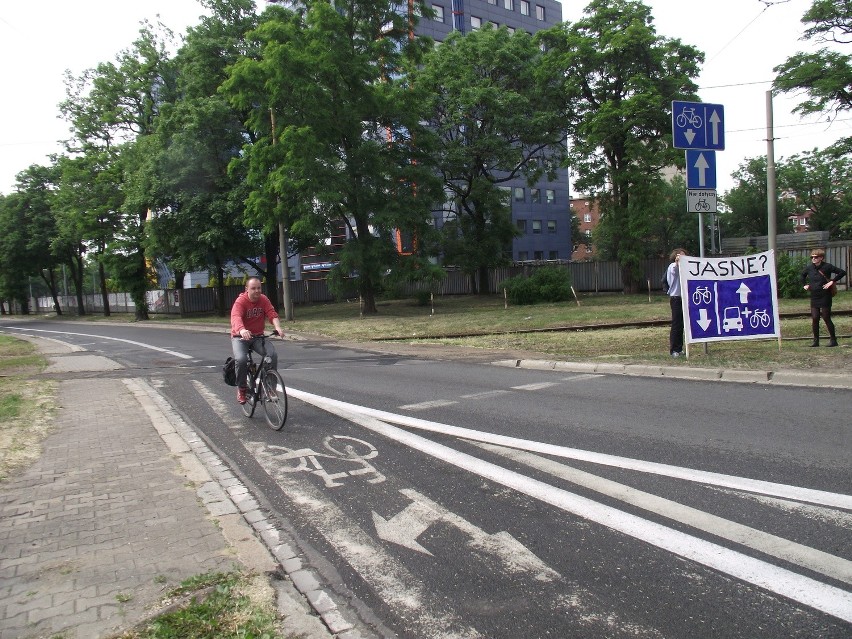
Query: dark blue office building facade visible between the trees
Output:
(542,213)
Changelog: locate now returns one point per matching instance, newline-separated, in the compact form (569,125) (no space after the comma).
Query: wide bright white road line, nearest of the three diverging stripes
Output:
(805,590)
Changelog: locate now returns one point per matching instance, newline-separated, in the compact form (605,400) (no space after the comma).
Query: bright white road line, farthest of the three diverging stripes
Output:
(809,495)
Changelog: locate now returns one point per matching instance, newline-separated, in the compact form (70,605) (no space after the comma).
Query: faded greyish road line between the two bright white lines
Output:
(805,556)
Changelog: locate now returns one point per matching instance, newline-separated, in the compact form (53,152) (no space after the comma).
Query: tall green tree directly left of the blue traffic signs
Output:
(620,80)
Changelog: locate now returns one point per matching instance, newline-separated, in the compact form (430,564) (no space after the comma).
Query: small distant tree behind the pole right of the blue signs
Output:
(746,203)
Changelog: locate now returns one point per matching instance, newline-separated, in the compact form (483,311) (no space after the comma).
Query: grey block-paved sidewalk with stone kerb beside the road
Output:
(122,506)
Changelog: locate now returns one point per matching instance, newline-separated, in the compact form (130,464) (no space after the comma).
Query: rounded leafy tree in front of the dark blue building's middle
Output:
(493,115)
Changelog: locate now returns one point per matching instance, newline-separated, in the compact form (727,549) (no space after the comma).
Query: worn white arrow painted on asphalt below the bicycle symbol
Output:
(404,528)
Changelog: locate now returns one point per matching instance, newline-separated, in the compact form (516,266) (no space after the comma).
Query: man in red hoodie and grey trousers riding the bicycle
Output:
(248,320)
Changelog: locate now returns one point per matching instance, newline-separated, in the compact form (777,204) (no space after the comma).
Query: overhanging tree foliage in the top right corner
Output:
(826,75)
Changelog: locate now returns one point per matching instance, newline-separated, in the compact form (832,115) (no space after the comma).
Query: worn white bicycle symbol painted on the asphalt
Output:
(342,451)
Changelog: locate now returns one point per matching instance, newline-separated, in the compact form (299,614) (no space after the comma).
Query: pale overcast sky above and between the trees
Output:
(742,39)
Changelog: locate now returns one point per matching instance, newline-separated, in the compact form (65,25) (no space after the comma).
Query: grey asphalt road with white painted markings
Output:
(450,499)
